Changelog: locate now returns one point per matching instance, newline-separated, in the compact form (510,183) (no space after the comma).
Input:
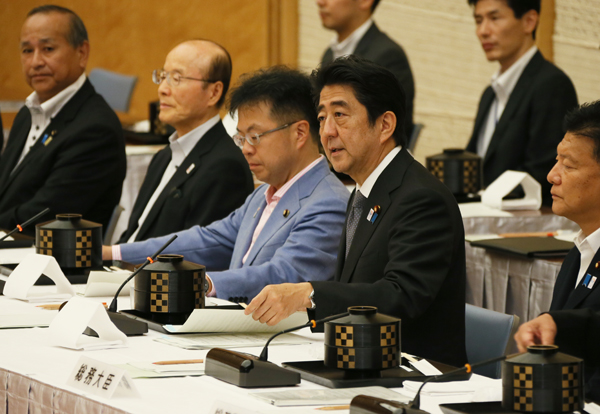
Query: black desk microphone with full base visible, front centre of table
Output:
(249,371)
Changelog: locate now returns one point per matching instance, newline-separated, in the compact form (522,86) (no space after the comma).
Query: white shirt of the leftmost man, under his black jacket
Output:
(42,114)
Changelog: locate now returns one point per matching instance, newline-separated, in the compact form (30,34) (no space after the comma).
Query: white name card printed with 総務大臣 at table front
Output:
(99,378)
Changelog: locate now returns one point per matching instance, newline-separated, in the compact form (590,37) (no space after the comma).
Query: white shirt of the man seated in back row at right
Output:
(503,85)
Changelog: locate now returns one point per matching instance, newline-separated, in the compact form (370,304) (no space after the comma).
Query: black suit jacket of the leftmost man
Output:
(80,170)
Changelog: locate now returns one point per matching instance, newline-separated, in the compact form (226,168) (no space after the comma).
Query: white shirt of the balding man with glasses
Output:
(180,149)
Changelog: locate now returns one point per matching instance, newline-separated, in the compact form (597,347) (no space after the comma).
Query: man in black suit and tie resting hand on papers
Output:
(403,246)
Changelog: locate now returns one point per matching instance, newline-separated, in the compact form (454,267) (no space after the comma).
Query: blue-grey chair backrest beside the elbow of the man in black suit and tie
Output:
(488,335)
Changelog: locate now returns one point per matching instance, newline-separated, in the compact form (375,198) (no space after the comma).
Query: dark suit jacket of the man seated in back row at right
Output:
(530,127)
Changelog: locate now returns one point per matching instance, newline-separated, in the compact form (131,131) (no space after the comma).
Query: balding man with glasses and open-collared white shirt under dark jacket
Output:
(201,176)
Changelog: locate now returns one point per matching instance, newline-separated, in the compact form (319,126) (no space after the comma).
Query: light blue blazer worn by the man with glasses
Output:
(296,247)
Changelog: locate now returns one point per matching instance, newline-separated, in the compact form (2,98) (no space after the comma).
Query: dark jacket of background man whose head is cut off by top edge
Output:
(377,47)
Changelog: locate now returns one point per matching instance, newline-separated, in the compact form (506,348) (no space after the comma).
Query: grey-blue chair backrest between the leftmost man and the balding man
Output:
(114,87)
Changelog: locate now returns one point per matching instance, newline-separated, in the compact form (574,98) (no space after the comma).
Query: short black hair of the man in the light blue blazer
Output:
(287,91)
